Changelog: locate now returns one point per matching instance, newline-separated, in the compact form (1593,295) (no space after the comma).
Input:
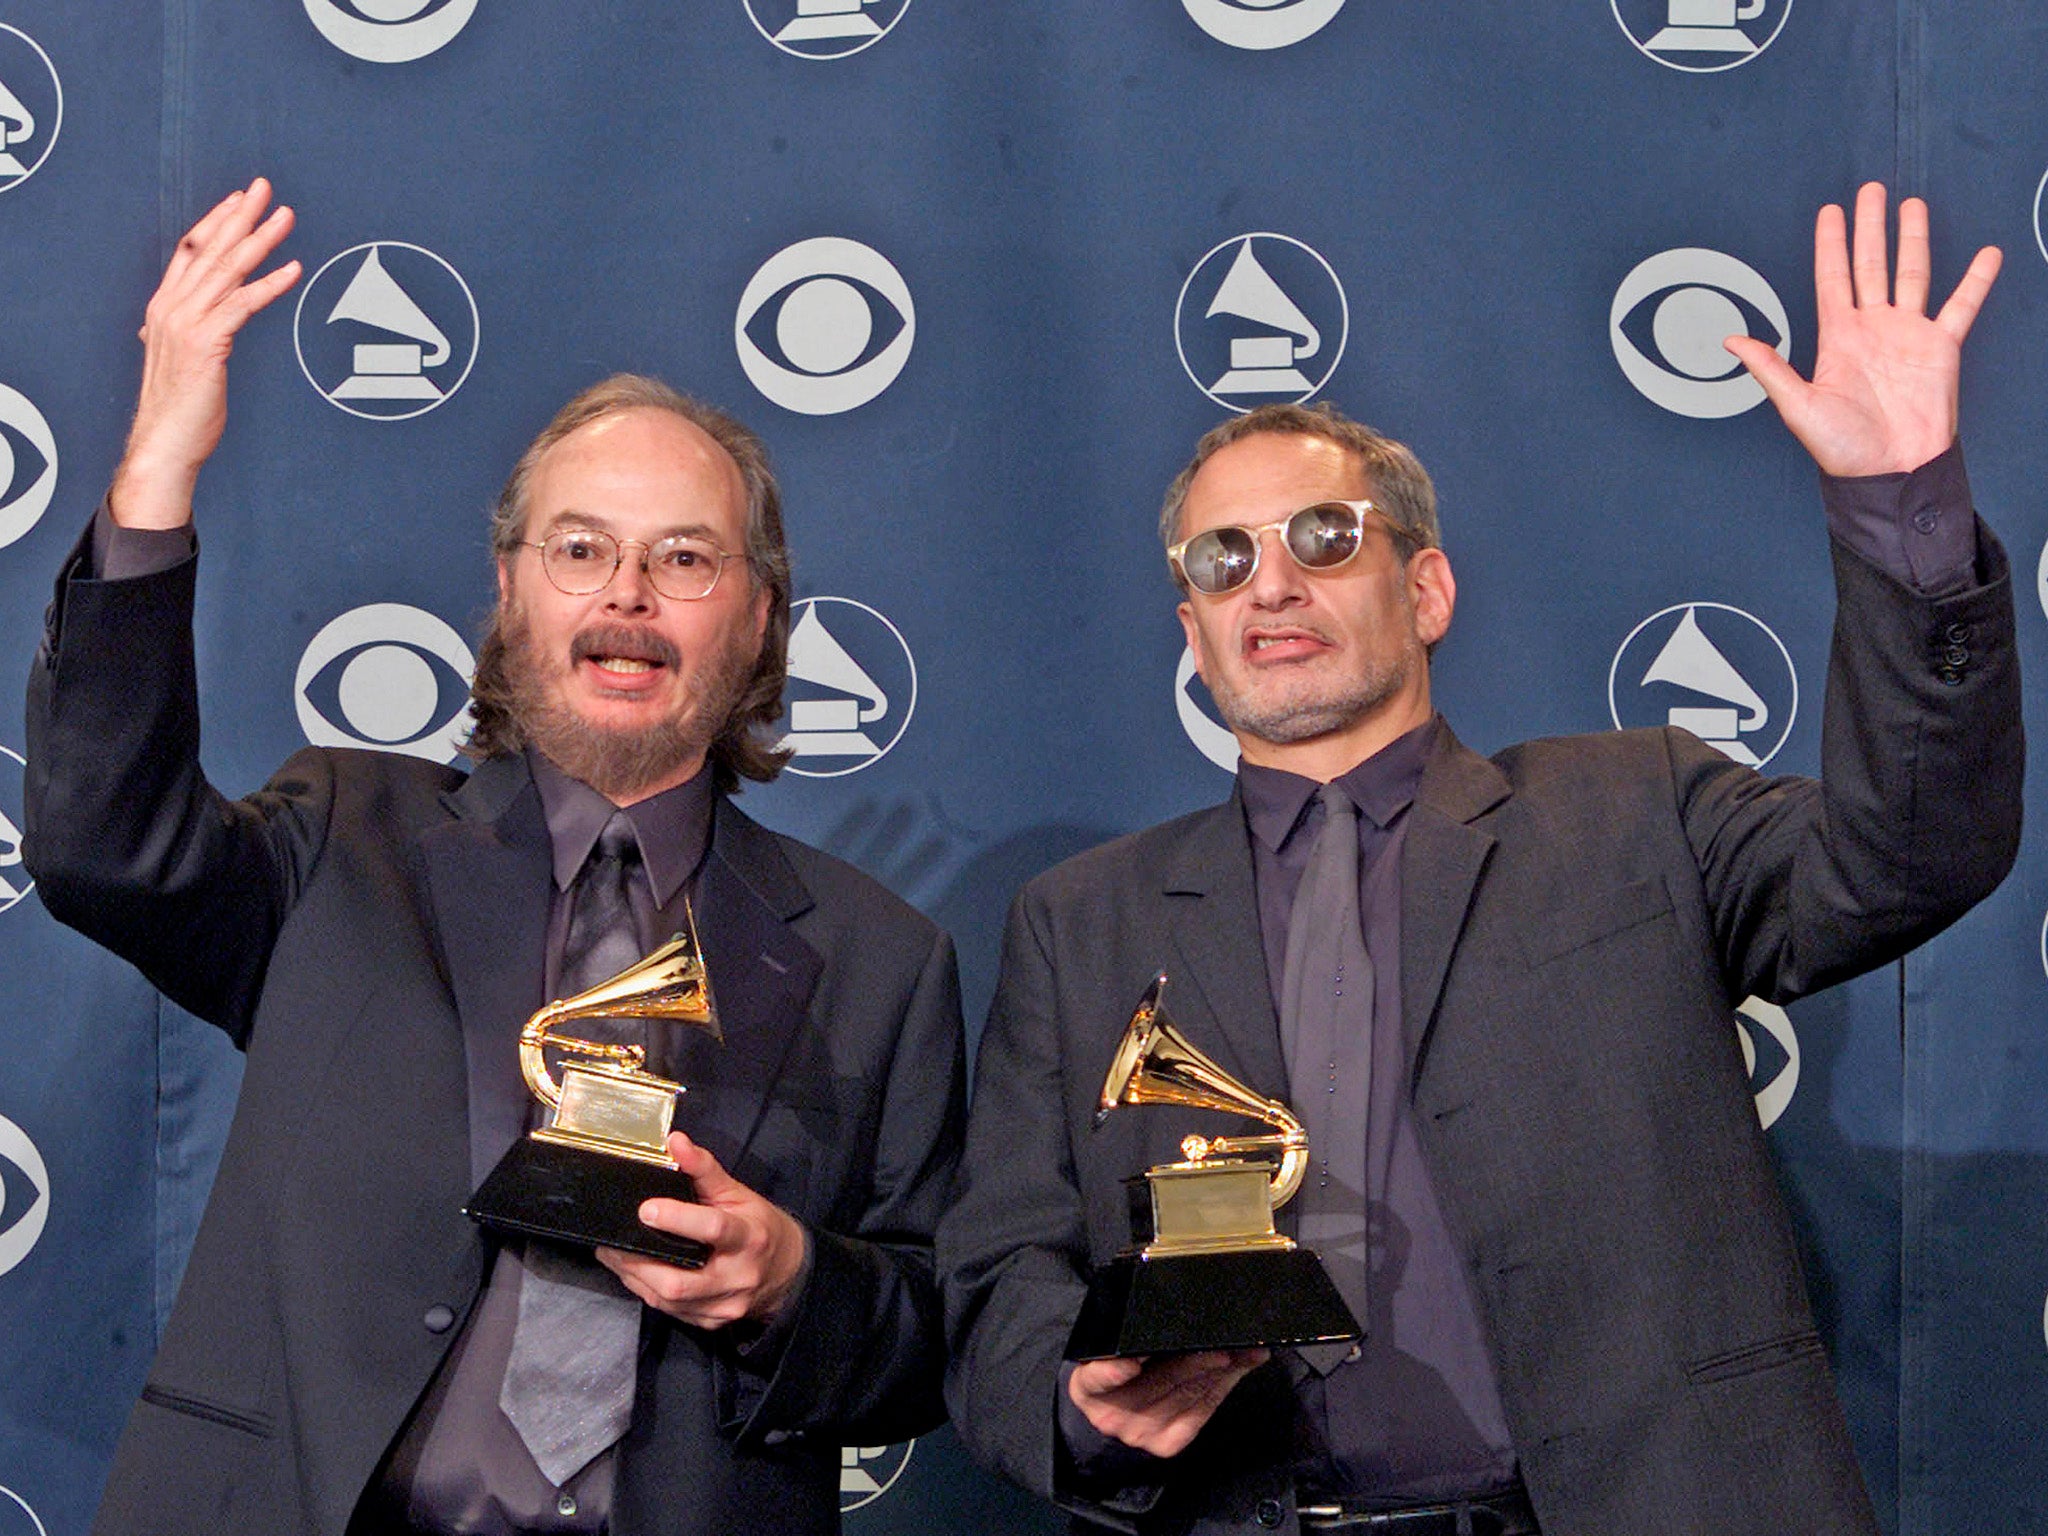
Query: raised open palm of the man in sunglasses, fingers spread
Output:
(1885,376)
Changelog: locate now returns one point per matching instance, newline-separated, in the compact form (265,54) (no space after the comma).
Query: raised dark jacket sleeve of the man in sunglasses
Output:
(1916,814)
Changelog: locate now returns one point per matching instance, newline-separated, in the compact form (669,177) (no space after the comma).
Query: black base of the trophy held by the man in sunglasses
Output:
(1209,1302)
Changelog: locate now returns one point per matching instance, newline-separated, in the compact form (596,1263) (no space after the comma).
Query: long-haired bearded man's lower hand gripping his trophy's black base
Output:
(757,1248)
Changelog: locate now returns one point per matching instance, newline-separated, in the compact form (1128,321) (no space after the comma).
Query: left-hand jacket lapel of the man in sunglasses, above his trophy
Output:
(1222,1000)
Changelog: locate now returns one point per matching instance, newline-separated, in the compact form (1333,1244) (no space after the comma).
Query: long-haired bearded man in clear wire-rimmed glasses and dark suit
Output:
(349,1353)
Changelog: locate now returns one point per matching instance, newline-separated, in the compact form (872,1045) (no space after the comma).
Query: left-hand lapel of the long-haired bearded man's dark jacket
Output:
(490,876)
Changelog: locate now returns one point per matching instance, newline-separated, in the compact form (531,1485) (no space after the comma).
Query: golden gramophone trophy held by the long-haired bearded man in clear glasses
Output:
(585,1175)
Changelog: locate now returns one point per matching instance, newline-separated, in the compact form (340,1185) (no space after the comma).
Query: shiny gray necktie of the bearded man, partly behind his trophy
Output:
(577,1345)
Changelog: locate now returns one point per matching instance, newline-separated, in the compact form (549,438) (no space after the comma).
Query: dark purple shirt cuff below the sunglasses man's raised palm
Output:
(1916,527)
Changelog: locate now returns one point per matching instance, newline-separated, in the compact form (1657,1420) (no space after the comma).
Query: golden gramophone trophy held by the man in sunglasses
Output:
(1205,1271)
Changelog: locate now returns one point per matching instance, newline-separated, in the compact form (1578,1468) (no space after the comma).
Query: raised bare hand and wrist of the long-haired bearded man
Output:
(187,335)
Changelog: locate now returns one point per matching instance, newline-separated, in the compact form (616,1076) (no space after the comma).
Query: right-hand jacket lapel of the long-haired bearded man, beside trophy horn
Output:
(763,976)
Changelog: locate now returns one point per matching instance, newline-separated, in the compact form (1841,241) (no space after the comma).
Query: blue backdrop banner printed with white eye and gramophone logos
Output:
(982,275)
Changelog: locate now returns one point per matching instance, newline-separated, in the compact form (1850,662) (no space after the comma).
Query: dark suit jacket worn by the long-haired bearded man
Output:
(372,931)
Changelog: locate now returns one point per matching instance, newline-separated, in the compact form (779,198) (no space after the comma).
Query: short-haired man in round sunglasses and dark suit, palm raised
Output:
(1498,992)
